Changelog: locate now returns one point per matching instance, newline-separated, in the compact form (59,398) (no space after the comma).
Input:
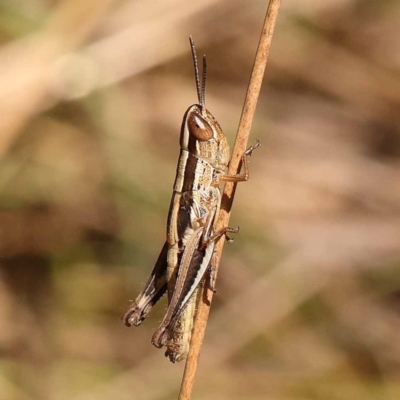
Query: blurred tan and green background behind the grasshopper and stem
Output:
(92,94)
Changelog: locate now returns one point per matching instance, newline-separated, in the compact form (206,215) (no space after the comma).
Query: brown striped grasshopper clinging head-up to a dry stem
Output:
(191,235)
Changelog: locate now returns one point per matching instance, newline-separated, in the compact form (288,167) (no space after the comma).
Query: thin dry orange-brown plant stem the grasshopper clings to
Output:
(229,191)
